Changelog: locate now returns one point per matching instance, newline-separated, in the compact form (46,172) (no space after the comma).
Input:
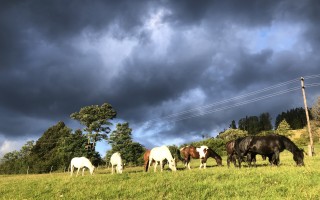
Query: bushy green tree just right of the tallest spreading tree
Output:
(121,141)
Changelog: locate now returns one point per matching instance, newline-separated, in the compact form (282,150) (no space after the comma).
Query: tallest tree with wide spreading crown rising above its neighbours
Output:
(96,119)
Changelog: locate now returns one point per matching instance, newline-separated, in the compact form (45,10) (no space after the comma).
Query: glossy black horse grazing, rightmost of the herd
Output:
(271,146)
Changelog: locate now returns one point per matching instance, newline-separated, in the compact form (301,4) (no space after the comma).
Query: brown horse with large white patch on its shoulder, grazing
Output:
(191,151)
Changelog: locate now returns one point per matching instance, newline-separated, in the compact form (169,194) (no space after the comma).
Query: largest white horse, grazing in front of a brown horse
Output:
(159,154)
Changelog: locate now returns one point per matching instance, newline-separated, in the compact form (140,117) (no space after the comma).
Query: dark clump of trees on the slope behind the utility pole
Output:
(296,118)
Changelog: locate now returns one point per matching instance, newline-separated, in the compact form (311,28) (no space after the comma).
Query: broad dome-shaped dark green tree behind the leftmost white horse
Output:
(56,147)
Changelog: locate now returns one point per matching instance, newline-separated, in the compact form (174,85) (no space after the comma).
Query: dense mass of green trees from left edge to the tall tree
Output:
(53,151)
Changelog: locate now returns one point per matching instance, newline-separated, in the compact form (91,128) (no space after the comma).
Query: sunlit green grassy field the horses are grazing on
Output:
(263,182)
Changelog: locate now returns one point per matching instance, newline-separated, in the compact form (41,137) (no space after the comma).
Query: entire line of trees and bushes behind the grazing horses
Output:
(59,144)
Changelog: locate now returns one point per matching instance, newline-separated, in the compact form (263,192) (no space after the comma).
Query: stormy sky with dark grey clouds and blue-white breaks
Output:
(175,70)
